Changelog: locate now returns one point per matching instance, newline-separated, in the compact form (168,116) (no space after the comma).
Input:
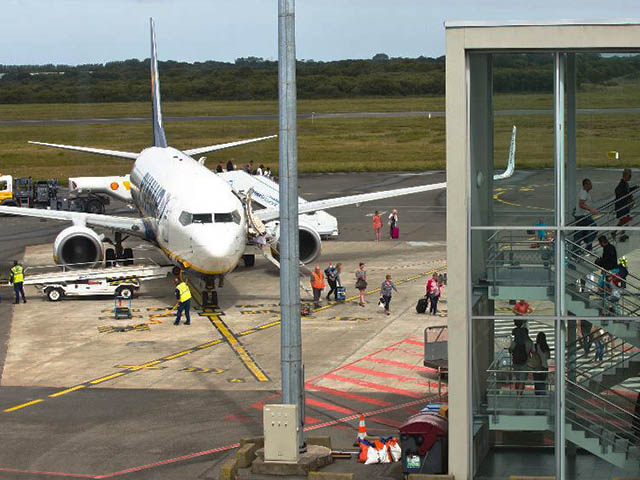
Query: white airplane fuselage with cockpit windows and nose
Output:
(190,213)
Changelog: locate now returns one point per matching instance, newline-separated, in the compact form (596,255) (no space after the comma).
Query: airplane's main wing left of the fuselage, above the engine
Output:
(132,226)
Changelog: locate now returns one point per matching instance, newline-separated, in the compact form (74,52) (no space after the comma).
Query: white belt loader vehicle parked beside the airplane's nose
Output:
(58,281)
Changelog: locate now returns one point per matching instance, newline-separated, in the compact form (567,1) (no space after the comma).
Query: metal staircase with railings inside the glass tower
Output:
(598,418)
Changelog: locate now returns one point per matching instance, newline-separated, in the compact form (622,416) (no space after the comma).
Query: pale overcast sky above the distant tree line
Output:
(92,31)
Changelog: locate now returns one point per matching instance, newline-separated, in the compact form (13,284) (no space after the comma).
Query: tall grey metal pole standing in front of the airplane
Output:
(291,333)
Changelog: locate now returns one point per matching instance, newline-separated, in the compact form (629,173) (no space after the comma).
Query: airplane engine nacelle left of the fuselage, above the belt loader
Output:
(78,245)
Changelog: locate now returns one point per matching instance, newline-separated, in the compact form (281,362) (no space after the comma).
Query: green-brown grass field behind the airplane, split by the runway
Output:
(325,145)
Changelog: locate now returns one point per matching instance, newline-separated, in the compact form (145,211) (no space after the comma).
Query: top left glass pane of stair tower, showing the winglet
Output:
(518,93)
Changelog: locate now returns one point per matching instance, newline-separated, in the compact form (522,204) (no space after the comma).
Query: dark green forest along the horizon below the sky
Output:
(254,78)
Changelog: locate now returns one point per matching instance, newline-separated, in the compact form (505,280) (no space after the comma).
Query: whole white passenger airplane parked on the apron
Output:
(192,214)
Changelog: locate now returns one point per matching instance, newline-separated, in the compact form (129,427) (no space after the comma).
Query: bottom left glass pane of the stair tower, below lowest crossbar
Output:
(513,403)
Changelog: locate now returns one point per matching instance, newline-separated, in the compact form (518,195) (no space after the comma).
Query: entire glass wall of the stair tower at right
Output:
(554,331)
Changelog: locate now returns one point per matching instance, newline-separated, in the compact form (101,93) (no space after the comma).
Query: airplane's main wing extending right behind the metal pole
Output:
(273,213)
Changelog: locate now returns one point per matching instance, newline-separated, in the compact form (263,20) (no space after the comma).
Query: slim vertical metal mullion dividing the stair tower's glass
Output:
(561,310)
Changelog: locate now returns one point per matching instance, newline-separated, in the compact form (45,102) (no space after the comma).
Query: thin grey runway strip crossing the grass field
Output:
(302,116)
